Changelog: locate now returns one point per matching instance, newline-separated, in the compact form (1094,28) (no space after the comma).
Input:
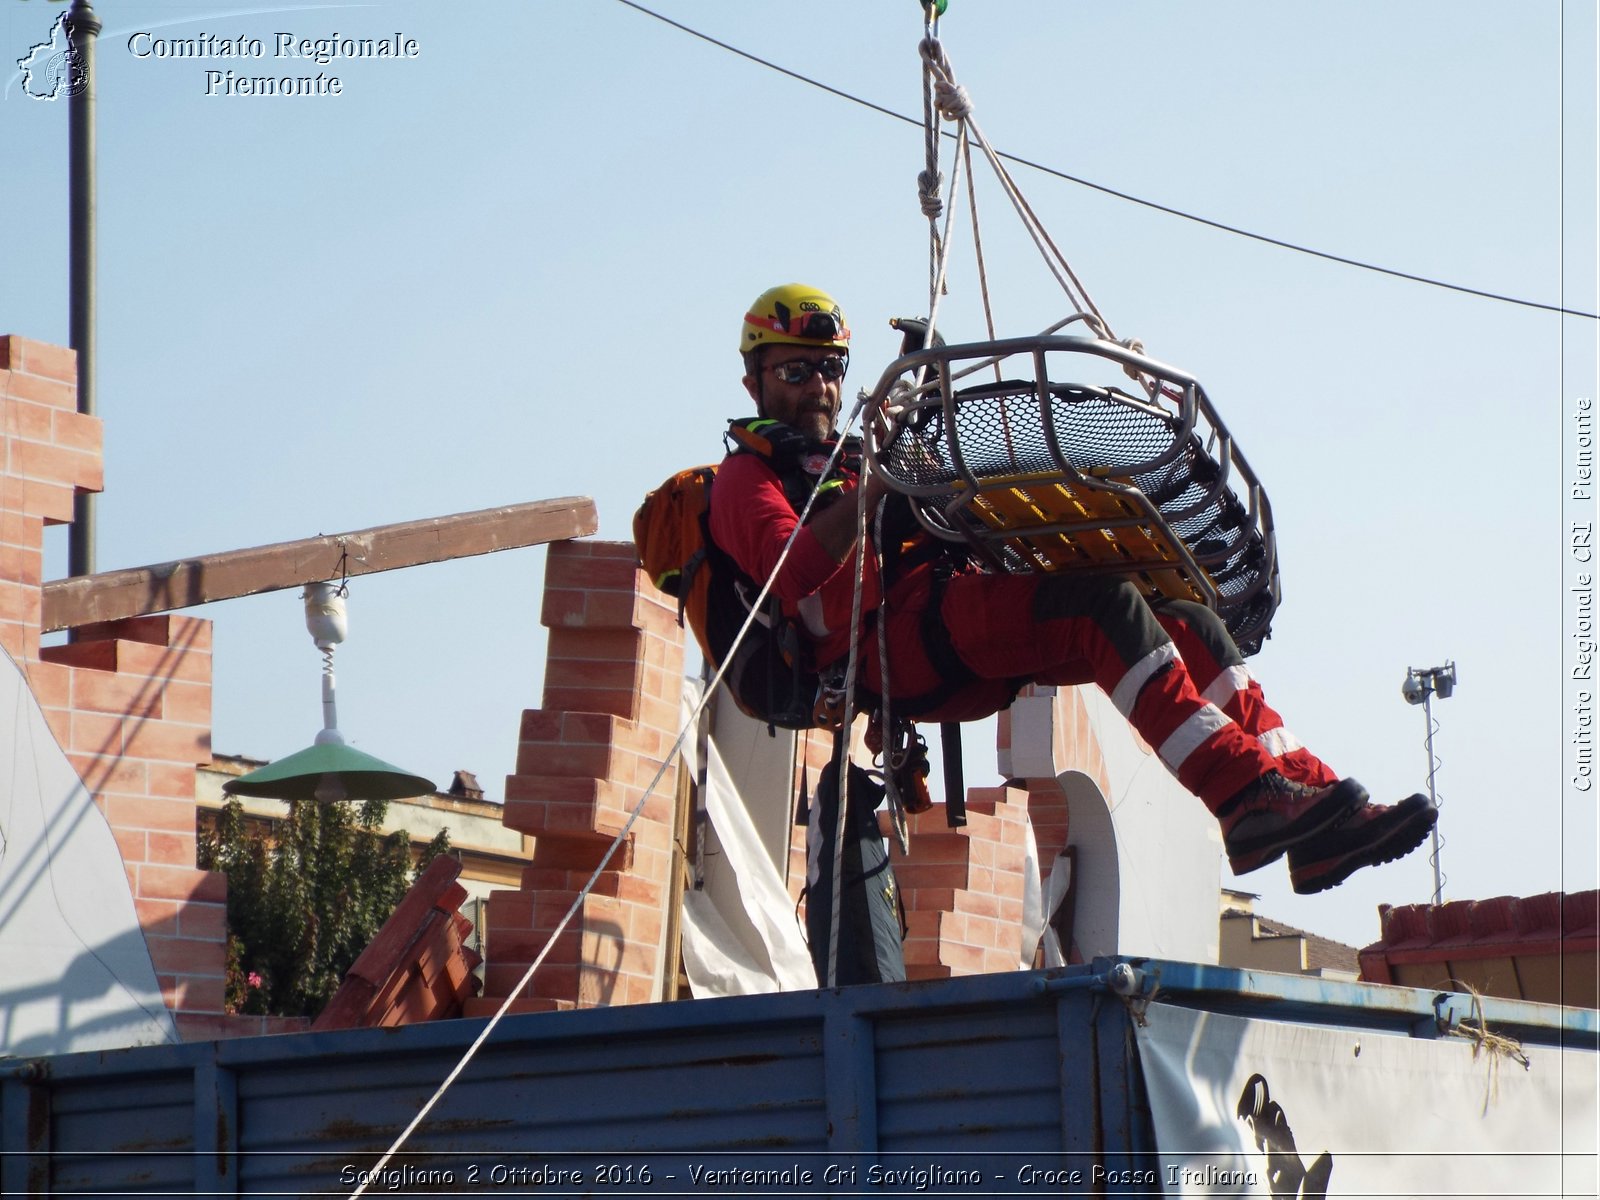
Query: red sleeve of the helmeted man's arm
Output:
(751,521)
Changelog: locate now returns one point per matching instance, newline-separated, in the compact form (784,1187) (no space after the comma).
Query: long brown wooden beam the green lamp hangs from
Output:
(140,591)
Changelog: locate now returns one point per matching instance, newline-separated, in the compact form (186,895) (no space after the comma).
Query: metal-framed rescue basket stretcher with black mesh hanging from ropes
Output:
(1042,476)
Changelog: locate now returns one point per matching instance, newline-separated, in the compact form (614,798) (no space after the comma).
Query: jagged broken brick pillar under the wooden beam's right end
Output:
(612,684)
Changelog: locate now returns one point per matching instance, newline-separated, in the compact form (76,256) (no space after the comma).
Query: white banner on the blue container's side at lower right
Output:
(1278,1110)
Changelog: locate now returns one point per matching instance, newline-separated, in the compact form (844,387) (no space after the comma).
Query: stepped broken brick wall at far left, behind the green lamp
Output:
(130,702)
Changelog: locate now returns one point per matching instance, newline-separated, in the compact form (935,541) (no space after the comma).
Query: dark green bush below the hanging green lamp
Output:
(305,898)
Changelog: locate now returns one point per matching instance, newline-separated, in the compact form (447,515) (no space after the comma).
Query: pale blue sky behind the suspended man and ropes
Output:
(511,268)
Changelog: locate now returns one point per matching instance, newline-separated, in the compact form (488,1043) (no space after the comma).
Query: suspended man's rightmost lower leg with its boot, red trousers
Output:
(1370,836)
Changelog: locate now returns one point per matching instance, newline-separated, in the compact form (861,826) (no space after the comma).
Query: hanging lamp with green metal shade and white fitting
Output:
(329,770)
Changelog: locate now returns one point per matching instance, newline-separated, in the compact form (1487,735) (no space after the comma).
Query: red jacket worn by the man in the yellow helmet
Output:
(751,519)
